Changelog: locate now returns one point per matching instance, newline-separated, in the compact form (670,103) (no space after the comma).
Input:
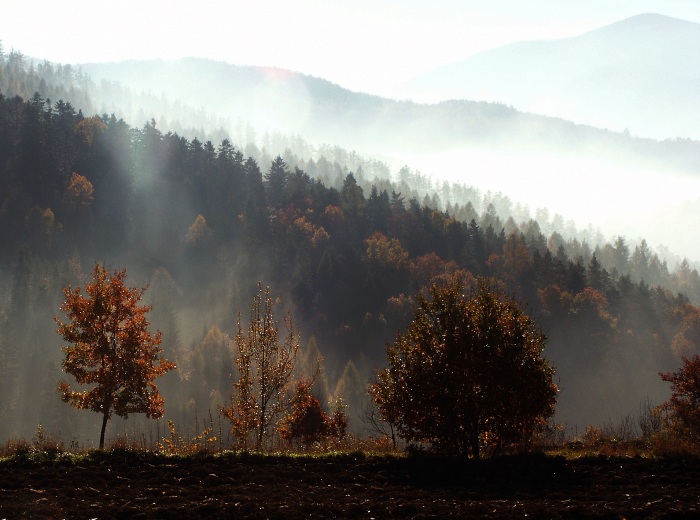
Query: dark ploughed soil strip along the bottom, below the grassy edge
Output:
(127,485)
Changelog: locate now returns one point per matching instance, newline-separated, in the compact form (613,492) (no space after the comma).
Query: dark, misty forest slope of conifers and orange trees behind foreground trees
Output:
(203,222)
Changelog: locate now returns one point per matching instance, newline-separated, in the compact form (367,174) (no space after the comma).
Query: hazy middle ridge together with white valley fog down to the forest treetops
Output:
(532,159)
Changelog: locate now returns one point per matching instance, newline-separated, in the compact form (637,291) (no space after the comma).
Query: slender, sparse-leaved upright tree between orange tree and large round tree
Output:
(265,369)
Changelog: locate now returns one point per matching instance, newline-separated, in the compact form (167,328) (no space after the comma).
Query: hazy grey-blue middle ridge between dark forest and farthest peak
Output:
(322,112)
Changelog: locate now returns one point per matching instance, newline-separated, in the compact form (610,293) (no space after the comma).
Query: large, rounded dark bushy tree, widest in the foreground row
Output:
(468,373)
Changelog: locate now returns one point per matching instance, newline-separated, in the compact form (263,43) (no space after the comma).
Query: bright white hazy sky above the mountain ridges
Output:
(367,45)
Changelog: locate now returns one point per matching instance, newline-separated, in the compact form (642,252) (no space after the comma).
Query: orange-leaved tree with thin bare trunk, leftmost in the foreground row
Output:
(111,349)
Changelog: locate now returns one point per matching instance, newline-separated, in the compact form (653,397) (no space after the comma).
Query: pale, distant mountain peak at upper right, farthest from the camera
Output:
(640,74)
